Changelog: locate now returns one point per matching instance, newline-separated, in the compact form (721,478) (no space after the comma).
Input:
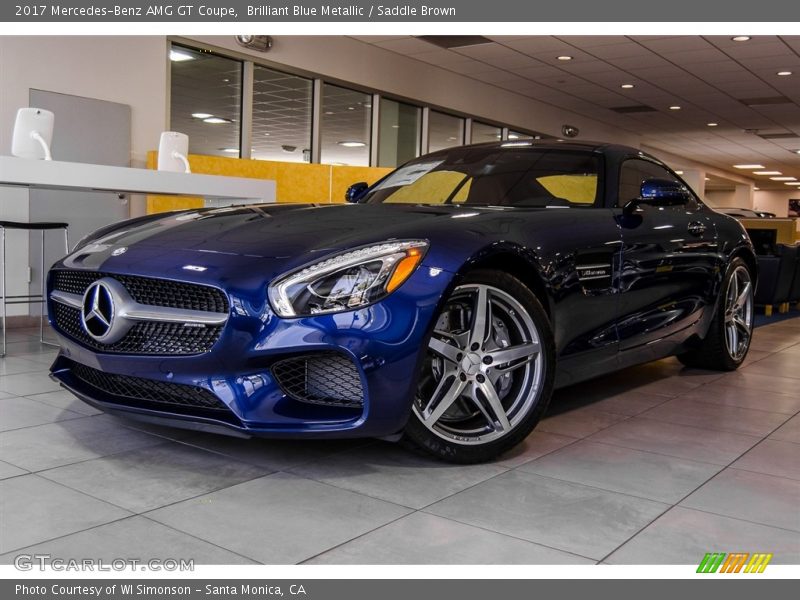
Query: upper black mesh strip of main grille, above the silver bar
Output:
(148,290)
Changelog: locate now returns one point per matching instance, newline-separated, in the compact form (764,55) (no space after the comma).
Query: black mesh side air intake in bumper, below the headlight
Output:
(325,378)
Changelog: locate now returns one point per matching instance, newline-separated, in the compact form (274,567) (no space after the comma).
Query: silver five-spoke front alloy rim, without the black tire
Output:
(484,368)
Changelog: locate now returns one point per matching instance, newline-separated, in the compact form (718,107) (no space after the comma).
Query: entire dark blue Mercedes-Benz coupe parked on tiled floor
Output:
(443,303)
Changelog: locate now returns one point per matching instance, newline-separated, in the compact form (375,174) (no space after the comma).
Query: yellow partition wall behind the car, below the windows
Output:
(294,182)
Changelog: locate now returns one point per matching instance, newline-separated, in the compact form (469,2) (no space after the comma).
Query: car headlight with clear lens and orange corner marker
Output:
(346,281)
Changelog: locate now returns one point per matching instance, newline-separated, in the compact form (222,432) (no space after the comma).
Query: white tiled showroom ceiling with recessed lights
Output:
(707,76)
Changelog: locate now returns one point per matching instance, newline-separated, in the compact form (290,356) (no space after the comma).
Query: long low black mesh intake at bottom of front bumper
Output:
(148,393)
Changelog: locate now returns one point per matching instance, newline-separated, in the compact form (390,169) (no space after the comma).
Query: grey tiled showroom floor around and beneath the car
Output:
(657,464)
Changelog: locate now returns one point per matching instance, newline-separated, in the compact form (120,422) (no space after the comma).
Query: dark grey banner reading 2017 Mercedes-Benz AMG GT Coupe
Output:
(251,11)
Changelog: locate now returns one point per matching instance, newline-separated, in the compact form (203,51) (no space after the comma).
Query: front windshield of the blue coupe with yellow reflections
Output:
(494,176)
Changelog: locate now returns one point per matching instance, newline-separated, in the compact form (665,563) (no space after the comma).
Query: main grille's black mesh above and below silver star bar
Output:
(145,337)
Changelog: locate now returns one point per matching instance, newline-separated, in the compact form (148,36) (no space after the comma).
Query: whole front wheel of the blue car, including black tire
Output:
(485,383)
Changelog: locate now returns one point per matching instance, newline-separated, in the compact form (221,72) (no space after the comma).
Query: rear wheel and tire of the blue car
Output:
(722,350)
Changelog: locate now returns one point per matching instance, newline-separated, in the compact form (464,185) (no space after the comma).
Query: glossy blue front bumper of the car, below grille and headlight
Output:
(384,343)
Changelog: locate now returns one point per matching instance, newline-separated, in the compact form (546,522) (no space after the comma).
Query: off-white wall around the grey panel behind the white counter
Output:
(130,70)
